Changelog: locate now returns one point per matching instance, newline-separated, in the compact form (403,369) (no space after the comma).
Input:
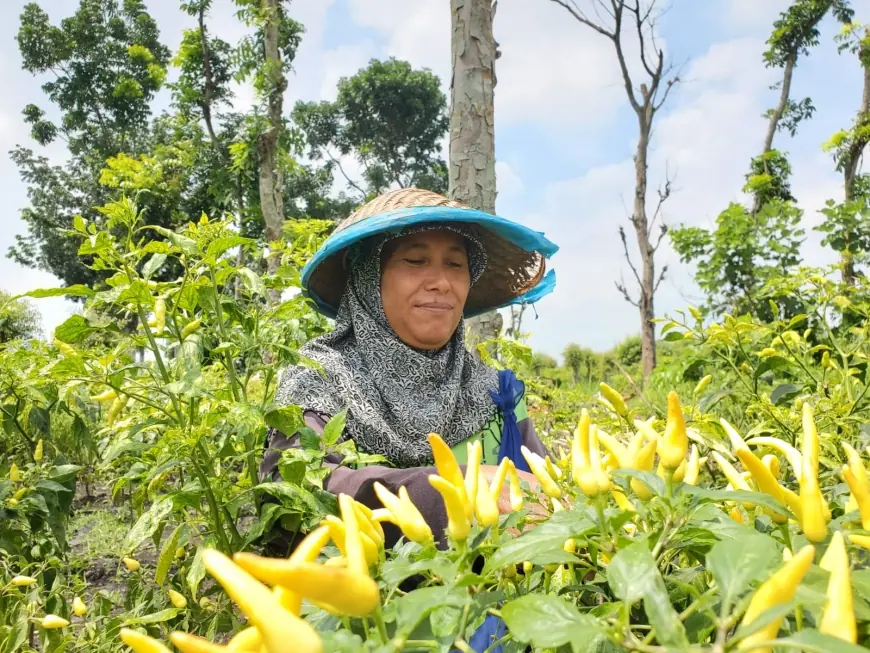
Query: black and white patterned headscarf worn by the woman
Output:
(395,395)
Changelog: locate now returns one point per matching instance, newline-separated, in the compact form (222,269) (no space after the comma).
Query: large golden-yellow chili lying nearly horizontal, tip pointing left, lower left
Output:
(347,591)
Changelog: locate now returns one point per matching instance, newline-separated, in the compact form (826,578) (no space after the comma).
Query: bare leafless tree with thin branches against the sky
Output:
(646,99)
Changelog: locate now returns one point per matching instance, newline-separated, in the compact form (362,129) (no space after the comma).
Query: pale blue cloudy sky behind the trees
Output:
(564,132)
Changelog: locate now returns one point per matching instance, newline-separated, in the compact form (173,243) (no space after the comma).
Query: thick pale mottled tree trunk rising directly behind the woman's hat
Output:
(472,123)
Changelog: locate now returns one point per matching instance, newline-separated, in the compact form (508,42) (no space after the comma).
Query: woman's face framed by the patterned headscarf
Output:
(424,284)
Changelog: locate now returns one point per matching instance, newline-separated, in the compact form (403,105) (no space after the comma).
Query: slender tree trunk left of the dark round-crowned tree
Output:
(271,175)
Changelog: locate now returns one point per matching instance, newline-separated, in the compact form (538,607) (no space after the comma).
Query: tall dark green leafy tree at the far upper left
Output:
(105,64)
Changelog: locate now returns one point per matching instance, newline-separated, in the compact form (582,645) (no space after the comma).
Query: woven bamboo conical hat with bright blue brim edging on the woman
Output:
(516,266)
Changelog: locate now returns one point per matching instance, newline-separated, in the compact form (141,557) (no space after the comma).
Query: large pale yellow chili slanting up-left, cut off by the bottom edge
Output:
(277,626)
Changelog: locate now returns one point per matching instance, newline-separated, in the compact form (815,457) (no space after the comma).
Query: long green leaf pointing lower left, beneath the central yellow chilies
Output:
(543,541)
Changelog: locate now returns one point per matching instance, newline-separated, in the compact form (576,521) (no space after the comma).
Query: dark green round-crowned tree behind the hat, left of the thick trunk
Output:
(391,118)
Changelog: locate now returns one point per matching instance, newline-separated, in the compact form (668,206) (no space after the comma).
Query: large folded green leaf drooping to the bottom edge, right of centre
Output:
(633,575)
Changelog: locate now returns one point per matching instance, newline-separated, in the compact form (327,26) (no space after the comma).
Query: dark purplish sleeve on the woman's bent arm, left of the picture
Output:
(359,483)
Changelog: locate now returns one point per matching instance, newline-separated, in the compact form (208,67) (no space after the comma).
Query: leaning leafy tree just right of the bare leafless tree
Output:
(751,246)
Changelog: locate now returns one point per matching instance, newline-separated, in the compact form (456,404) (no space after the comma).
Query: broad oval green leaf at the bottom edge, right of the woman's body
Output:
(547,621)
